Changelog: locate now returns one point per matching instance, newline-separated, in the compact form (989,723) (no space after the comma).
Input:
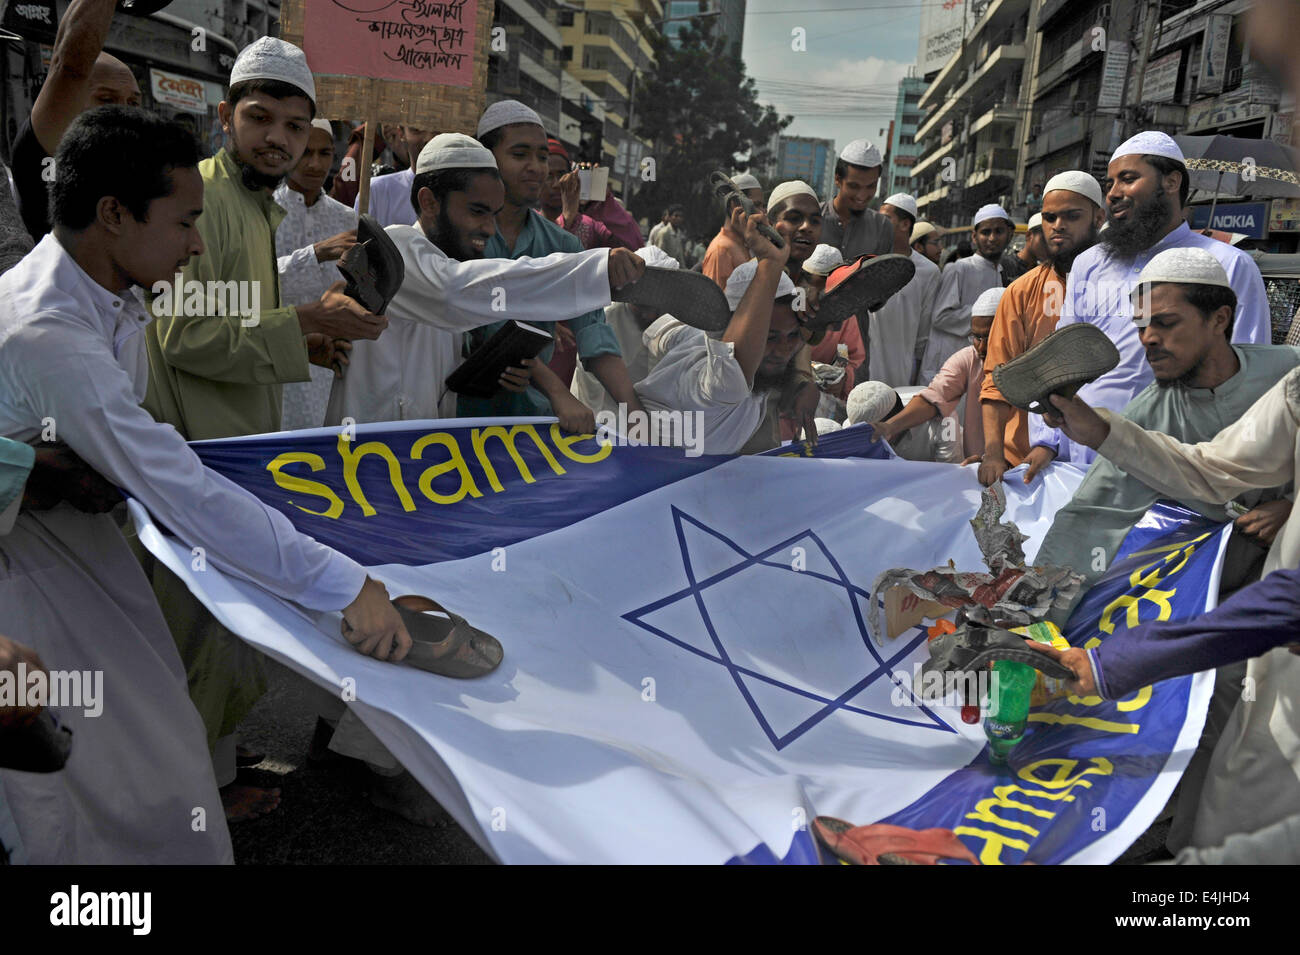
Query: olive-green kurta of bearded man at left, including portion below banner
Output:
(215,376)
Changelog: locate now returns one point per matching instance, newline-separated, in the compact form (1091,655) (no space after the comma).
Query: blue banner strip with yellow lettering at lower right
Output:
(1085,763)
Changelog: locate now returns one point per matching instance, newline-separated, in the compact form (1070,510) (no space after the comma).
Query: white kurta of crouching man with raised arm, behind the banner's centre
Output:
(694,372)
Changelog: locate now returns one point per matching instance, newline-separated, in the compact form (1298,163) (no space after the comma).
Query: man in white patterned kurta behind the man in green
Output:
(317,232)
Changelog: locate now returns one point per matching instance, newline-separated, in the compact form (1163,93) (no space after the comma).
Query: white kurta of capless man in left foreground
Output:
(73,353)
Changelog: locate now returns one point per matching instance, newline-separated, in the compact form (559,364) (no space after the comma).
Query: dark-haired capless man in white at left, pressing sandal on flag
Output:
(72,322)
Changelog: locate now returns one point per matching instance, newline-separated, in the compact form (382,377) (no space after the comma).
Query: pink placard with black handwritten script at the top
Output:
(411,41)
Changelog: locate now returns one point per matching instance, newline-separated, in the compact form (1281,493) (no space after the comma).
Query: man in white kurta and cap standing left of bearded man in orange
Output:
(961,284)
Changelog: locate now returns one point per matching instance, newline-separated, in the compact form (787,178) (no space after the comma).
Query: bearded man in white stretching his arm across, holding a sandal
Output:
(452,288)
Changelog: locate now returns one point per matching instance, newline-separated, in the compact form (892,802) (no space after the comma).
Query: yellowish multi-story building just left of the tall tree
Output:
(608,47)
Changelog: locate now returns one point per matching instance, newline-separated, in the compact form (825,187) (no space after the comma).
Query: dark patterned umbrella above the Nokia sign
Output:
(1258,168)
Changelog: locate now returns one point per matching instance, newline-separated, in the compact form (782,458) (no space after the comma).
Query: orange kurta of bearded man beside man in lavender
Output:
(1028,314)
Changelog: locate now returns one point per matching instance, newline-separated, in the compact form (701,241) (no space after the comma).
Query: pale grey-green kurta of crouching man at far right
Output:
(1110,502)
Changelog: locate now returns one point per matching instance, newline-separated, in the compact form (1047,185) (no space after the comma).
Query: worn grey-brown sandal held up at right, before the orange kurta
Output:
(1060,364)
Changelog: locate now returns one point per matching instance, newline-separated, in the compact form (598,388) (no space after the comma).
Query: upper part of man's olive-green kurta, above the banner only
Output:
(219,376)
